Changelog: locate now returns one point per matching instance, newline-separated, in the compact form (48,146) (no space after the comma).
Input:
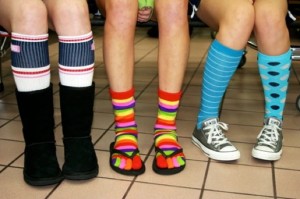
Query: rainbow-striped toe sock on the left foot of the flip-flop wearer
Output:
(125,131)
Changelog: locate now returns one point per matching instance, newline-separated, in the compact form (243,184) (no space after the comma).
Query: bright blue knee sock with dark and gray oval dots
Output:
(275,72)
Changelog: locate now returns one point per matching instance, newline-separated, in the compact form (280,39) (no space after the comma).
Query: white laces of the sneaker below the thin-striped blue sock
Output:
(215,134)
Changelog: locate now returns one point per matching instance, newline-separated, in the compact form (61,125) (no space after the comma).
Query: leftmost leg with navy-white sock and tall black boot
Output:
(31,72)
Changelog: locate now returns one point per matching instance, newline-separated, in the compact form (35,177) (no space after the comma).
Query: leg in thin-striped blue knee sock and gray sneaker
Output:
(223,58)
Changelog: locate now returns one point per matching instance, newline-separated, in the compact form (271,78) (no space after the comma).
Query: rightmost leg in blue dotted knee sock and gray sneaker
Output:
(274,60)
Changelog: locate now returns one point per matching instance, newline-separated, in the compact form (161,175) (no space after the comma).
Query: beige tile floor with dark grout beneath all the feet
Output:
(243,109)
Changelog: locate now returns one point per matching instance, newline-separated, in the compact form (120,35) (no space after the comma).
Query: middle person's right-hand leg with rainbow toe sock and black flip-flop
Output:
(172,60)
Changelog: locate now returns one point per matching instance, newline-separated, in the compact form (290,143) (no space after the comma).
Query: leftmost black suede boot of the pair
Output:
(36,112)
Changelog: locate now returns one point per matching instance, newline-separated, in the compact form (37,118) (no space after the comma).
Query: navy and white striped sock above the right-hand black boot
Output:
(76,60)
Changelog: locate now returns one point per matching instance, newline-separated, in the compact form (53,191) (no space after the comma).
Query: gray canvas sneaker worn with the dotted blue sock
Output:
(269,141)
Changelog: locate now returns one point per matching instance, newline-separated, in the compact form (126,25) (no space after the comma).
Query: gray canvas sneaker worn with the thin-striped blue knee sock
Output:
(211,139)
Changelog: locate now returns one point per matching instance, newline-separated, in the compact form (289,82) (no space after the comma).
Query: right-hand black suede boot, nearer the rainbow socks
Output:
(77,117)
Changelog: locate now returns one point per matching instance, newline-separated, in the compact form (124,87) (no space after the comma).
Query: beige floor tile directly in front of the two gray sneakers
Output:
(240,179)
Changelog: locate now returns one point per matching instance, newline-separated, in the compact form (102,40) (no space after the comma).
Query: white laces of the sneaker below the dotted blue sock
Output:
(269,135)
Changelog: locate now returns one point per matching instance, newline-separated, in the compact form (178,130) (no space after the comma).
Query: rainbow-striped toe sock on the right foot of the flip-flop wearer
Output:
(165,131)
